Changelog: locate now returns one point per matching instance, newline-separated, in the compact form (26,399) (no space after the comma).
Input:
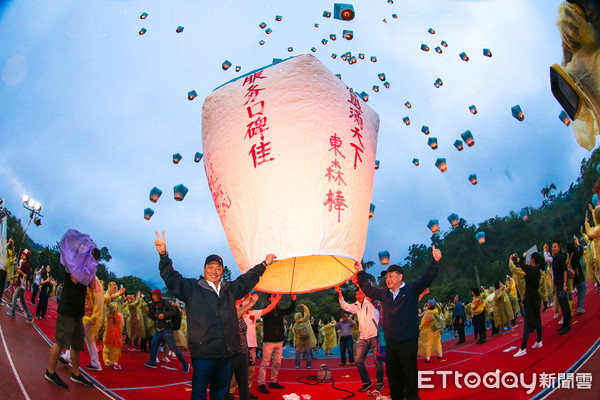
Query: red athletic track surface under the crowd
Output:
(29,353)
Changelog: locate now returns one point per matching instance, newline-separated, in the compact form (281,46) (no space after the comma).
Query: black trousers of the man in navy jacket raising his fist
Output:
(401,369)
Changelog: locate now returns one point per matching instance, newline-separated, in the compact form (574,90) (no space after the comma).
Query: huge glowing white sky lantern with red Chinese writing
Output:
(289,152)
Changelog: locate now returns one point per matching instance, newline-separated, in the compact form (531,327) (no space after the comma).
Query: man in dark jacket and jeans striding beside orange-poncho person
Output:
(163,312)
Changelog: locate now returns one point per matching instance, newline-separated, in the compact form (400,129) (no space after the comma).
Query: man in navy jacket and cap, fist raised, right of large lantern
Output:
(400,323)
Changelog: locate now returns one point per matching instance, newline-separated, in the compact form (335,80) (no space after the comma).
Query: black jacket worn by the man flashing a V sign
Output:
(212,320)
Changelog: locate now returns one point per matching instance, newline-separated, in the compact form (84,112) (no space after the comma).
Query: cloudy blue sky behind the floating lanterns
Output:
(91,112)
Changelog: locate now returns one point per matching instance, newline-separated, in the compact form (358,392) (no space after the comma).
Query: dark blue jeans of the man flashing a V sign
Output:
(215,372)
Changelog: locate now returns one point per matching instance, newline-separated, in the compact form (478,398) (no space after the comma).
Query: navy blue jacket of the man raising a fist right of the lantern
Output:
(400,316)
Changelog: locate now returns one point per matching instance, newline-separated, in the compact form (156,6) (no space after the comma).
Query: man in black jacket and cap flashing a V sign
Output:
(211,315)
